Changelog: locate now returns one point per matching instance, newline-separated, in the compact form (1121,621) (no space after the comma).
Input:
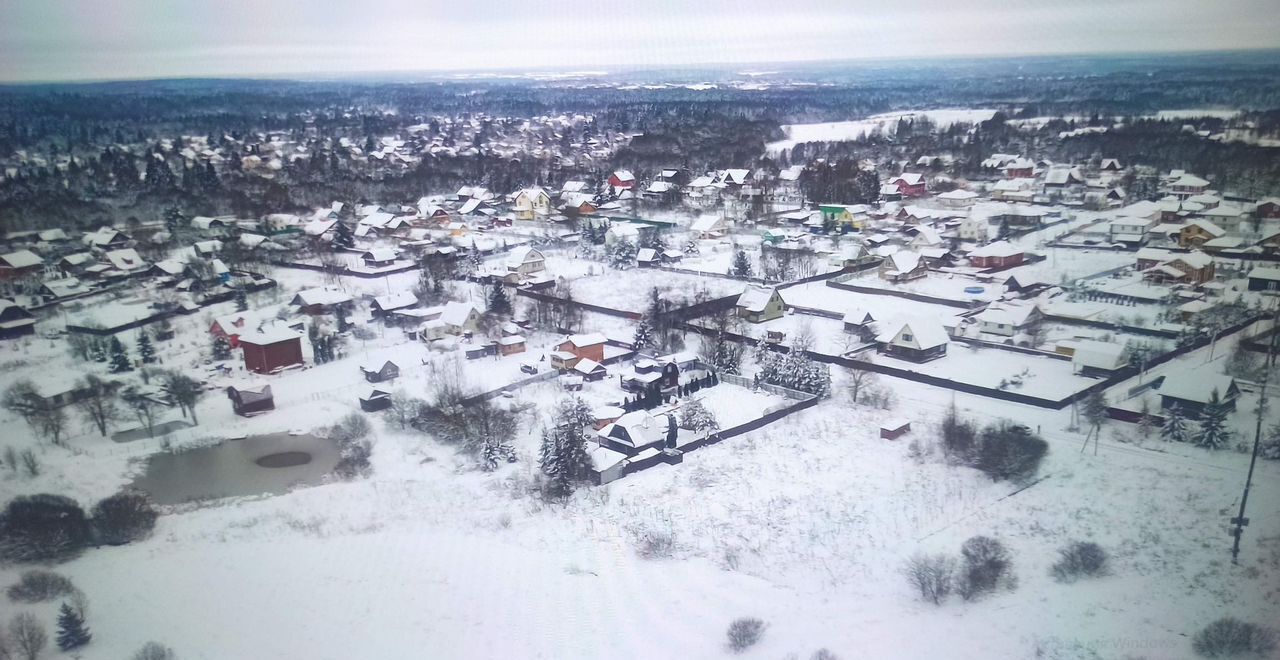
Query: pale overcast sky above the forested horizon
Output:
(70,40)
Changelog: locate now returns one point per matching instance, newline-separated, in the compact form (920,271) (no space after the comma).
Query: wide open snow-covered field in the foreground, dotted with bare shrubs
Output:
(803,526)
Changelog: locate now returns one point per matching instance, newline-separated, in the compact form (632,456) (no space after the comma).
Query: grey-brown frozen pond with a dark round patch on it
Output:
(260,465)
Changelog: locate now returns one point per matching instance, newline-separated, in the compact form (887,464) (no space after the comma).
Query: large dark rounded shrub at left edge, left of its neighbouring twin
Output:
(43,528)
